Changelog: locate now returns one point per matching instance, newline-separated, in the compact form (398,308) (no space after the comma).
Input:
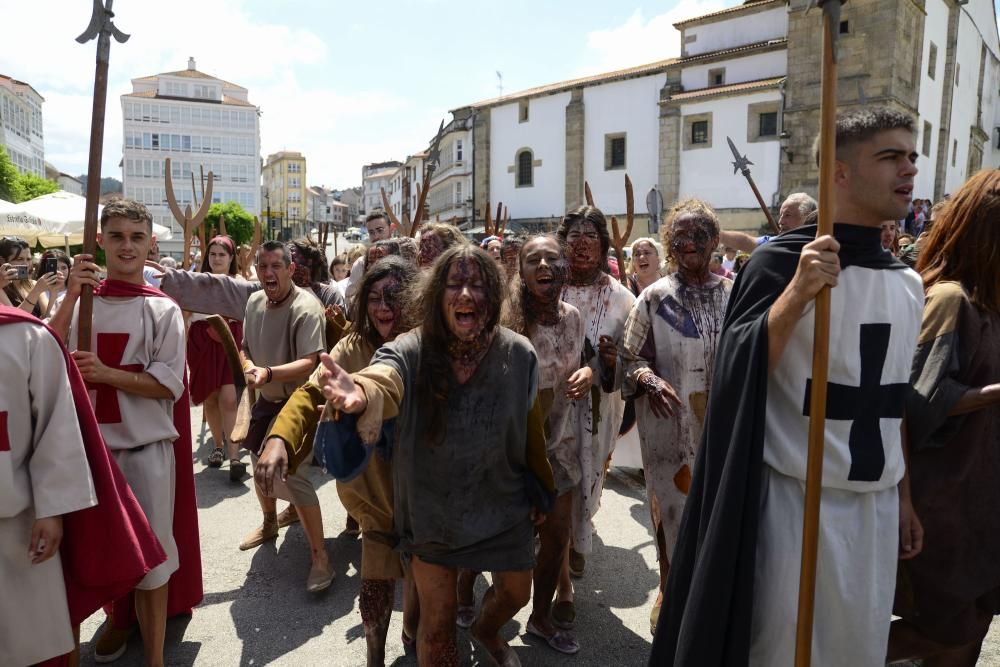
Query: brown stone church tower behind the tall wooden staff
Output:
(880,47)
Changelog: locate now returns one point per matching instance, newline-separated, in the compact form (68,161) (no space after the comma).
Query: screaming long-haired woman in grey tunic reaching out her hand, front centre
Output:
(470,472)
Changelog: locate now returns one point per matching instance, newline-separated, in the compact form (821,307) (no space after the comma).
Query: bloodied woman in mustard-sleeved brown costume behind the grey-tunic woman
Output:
(369,495)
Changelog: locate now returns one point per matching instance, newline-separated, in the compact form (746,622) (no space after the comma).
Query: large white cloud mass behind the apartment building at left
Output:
(272,61)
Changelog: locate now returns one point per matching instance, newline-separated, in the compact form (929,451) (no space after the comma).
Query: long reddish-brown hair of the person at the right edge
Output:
(964,244)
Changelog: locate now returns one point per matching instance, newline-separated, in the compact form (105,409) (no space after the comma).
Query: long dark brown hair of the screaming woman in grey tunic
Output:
(426,305)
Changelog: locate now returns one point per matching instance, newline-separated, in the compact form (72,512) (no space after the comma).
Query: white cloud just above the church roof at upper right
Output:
(640,40)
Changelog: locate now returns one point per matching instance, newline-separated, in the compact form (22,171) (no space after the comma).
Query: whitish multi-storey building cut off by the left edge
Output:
(21,131)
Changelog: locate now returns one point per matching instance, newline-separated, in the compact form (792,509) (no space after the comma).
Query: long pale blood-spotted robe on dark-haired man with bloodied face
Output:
(604,307)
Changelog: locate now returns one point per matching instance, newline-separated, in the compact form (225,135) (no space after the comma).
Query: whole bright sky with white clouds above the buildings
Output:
(345,83)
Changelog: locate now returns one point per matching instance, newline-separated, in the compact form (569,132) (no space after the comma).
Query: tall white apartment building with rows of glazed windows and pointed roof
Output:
(200,122)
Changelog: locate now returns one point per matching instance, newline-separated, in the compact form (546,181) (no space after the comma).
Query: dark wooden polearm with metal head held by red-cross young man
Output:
(103,28)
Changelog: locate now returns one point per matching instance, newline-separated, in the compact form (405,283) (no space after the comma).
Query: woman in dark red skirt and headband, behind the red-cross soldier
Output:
(211,378)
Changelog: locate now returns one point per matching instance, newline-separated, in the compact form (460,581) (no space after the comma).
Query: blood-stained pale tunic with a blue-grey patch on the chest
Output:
(673,331)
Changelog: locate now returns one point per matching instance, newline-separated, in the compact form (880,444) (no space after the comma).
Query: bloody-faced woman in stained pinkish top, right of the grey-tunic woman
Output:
(555,328)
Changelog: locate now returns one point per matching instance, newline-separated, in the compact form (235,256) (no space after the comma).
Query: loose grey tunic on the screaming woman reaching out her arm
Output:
(463,501)
